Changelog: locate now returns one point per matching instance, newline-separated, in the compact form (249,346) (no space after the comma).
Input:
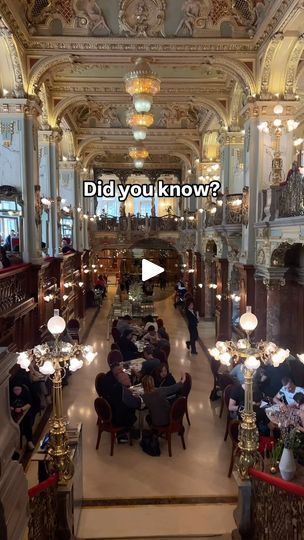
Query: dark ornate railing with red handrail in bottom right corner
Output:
(277,508)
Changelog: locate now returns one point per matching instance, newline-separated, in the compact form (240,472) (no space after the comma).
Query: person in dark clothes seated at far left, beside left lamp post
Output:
(21,402)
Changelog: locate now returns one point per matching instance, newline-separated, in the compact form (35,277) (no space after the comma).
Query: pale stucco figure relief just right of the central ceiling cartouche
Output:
(195,15)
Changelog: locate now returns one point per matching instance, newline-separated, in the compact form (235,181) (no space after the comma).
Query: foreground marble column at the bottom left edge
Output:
(13,483)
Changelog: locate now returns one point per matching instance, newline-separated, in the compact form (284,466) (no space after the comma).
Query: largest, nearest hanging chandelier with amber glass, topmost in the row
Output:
(142,84)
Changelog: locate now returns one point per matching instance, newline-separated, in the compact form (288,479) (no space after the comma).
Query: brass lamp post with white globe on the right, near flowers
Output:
(250,355)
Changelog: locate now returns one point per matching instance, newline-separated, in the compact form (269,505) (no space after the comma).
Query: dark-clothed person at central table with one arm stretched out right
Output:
(156,400)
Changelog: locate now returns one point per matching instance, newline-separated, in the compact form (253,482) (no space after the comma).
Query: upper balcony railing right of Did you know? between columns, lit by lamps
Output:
(229,210)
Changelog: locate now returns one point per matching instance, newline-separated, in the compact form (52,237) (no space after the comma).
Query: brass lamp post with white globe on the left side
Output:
(53,360)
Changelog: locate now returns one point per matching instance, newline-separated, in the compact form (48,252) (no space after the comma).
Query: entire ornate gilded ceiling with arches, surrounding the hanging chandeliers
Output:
(212,56)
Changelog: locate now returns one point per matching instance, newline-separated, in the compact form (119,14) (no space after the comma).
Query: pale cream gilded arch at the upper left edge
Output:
(11,78)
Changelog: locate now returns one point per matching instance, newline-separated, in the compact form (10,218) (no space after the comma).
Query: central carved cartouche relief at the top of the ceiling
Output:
(142,17)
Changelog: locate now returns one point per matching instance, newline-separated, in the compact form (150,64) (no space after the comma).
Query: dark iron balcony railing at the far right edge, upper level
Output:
(284,201)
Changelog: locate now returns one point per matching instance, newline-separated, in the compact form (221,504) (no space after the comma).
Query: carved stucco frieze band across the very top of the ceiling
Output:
(145,18)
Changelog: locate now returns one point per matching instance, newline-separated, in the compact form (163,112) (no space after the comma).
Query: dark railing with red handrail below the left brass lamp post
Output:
(42,523)
